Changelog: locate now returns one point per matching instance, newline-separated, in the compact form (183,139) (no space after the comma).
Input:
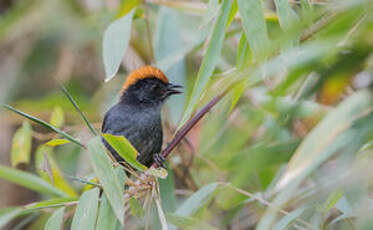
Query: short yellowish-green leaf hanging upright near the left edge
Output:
(21,146)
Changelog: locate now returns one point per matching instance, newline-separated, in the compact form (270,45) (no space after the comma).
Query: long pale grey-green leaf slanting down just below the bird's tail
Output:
(107,176)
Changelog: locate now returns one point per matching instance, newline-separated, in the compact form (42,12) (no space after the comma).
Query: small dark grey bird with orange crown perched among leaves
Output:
(137,115)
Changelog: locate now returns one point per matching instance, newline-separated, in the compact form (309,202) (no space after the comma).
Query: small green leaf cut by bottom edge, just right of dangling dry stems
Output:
(188,222)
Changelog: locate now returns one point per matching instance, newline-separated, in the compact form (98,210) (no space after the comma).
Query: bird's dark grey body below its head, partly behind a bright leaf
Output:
(141,126)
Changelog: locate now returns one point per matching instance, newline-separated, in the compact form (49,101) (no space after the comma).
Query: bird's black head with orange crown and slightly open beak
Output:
(148,86)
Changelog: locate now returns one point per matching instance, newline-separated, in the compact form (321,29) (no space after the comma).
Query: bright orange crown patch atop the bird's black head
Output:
(143,73)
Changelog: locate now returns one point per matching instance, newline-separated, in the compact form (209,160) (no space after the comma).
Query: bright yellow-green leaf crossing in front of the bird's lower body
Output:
(125,149)
